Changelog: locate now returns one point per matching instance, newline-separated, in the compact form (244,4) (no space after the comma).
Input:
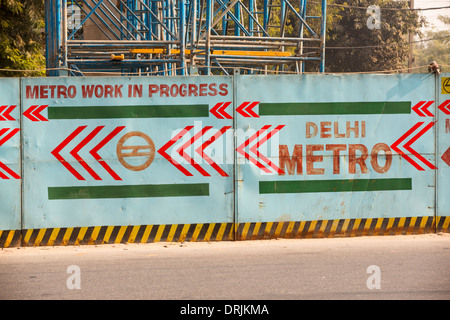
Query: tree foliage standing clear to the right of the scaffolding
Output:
(354,47)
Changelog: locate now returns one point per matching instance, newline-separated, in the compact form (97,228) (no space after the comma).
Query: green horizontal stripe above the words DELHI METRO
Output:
(333,108)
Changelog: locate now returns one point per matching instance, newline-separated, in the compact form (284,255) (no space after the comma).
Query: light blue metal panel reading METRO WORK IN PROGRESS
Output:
(109,153)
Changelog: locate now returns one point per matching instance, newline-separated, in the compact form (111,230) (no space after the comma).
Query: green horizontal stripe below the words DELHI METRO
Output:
(335,185)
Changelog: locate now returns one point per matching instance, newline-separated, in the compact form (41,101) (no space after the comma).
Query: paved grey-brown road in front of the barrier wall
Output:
(406,267)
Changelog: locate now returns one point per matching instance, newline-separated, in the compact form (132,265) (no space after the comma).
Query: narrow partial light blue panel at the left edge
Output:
(10,196)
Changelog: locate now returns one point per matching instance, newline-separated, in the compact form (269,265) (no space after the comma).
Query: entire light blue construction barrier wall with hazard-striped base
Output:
(144,159)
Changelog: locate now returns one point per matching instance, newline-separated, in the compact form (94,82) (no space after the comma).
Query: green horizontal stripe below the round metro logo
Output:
(129,191)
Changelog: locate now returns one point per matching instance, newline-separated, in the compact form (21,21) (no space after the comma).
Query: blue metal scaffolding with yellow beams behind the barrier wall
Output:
(184,37)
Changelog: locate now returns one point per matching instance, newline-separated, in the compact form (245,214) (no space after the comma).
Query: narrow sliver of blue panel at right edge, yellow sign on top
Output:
(443,154)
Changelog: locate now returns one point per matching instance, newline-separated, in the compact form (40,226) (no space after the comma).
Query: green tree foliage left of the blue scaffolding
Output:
(22,45)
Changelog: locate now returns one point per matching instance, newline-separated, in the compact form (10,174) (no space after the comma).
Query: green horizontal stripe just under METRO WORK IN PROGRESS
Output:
(121,112)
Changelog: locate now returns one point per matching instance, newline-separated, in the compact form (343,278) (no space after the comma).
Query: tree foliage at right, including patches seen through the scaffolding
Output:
(352,45)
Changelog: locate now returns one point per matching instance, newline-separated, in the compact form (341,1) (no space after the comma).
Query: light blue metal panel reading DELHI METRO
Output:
(338,130)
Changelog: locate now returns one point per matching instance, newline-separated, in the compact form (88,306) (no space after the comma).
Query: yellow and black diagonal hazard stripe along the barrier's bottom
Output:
(223,231)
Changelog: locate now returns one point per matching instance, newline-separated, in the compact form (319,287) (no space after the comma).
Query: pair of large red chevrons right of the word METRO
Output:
(408,147)
